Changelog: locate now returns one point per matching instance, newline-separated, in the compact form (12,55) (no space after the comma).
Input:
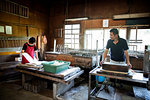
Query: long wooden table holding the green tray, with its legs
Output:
(63,77)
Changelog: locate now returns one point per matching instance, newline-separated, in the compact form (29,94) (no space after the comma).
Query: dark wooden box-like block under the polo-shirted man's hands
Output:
(115,69)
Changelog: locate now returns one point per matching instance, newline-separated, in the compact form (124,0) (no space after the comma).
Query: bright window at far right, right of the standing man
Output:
(139,39)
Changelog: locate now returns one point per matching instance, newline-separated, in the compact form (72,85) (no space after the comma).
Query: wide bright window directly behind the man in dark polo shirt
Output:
(102,35)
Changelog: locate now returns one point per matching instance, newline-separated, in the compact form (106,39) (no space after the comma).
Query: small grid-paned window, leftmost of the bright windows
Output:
(72,36)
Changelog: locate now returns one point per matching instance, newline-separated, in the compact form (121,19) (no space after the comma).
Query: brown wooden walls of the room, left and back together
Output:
(45,17)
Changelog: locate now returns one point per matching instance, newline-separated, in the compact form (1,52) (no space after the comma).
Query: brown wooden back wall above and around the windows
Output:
(96,10)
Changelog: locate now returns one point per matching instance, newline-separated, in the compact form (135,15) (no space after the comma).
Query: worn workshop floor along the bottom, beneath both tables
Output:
(14,91)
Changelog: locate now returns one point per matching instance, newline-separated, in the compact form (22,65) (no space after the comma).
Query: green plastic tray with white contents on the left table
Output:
(49,67)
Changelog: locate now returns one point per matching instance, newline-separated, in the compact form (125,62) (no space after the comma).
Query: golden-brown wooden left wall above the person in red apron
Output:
(36,24)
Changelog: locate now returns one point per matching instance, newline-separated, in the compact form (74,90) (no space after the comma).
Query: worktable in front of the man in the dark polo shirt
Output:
(137,77)
